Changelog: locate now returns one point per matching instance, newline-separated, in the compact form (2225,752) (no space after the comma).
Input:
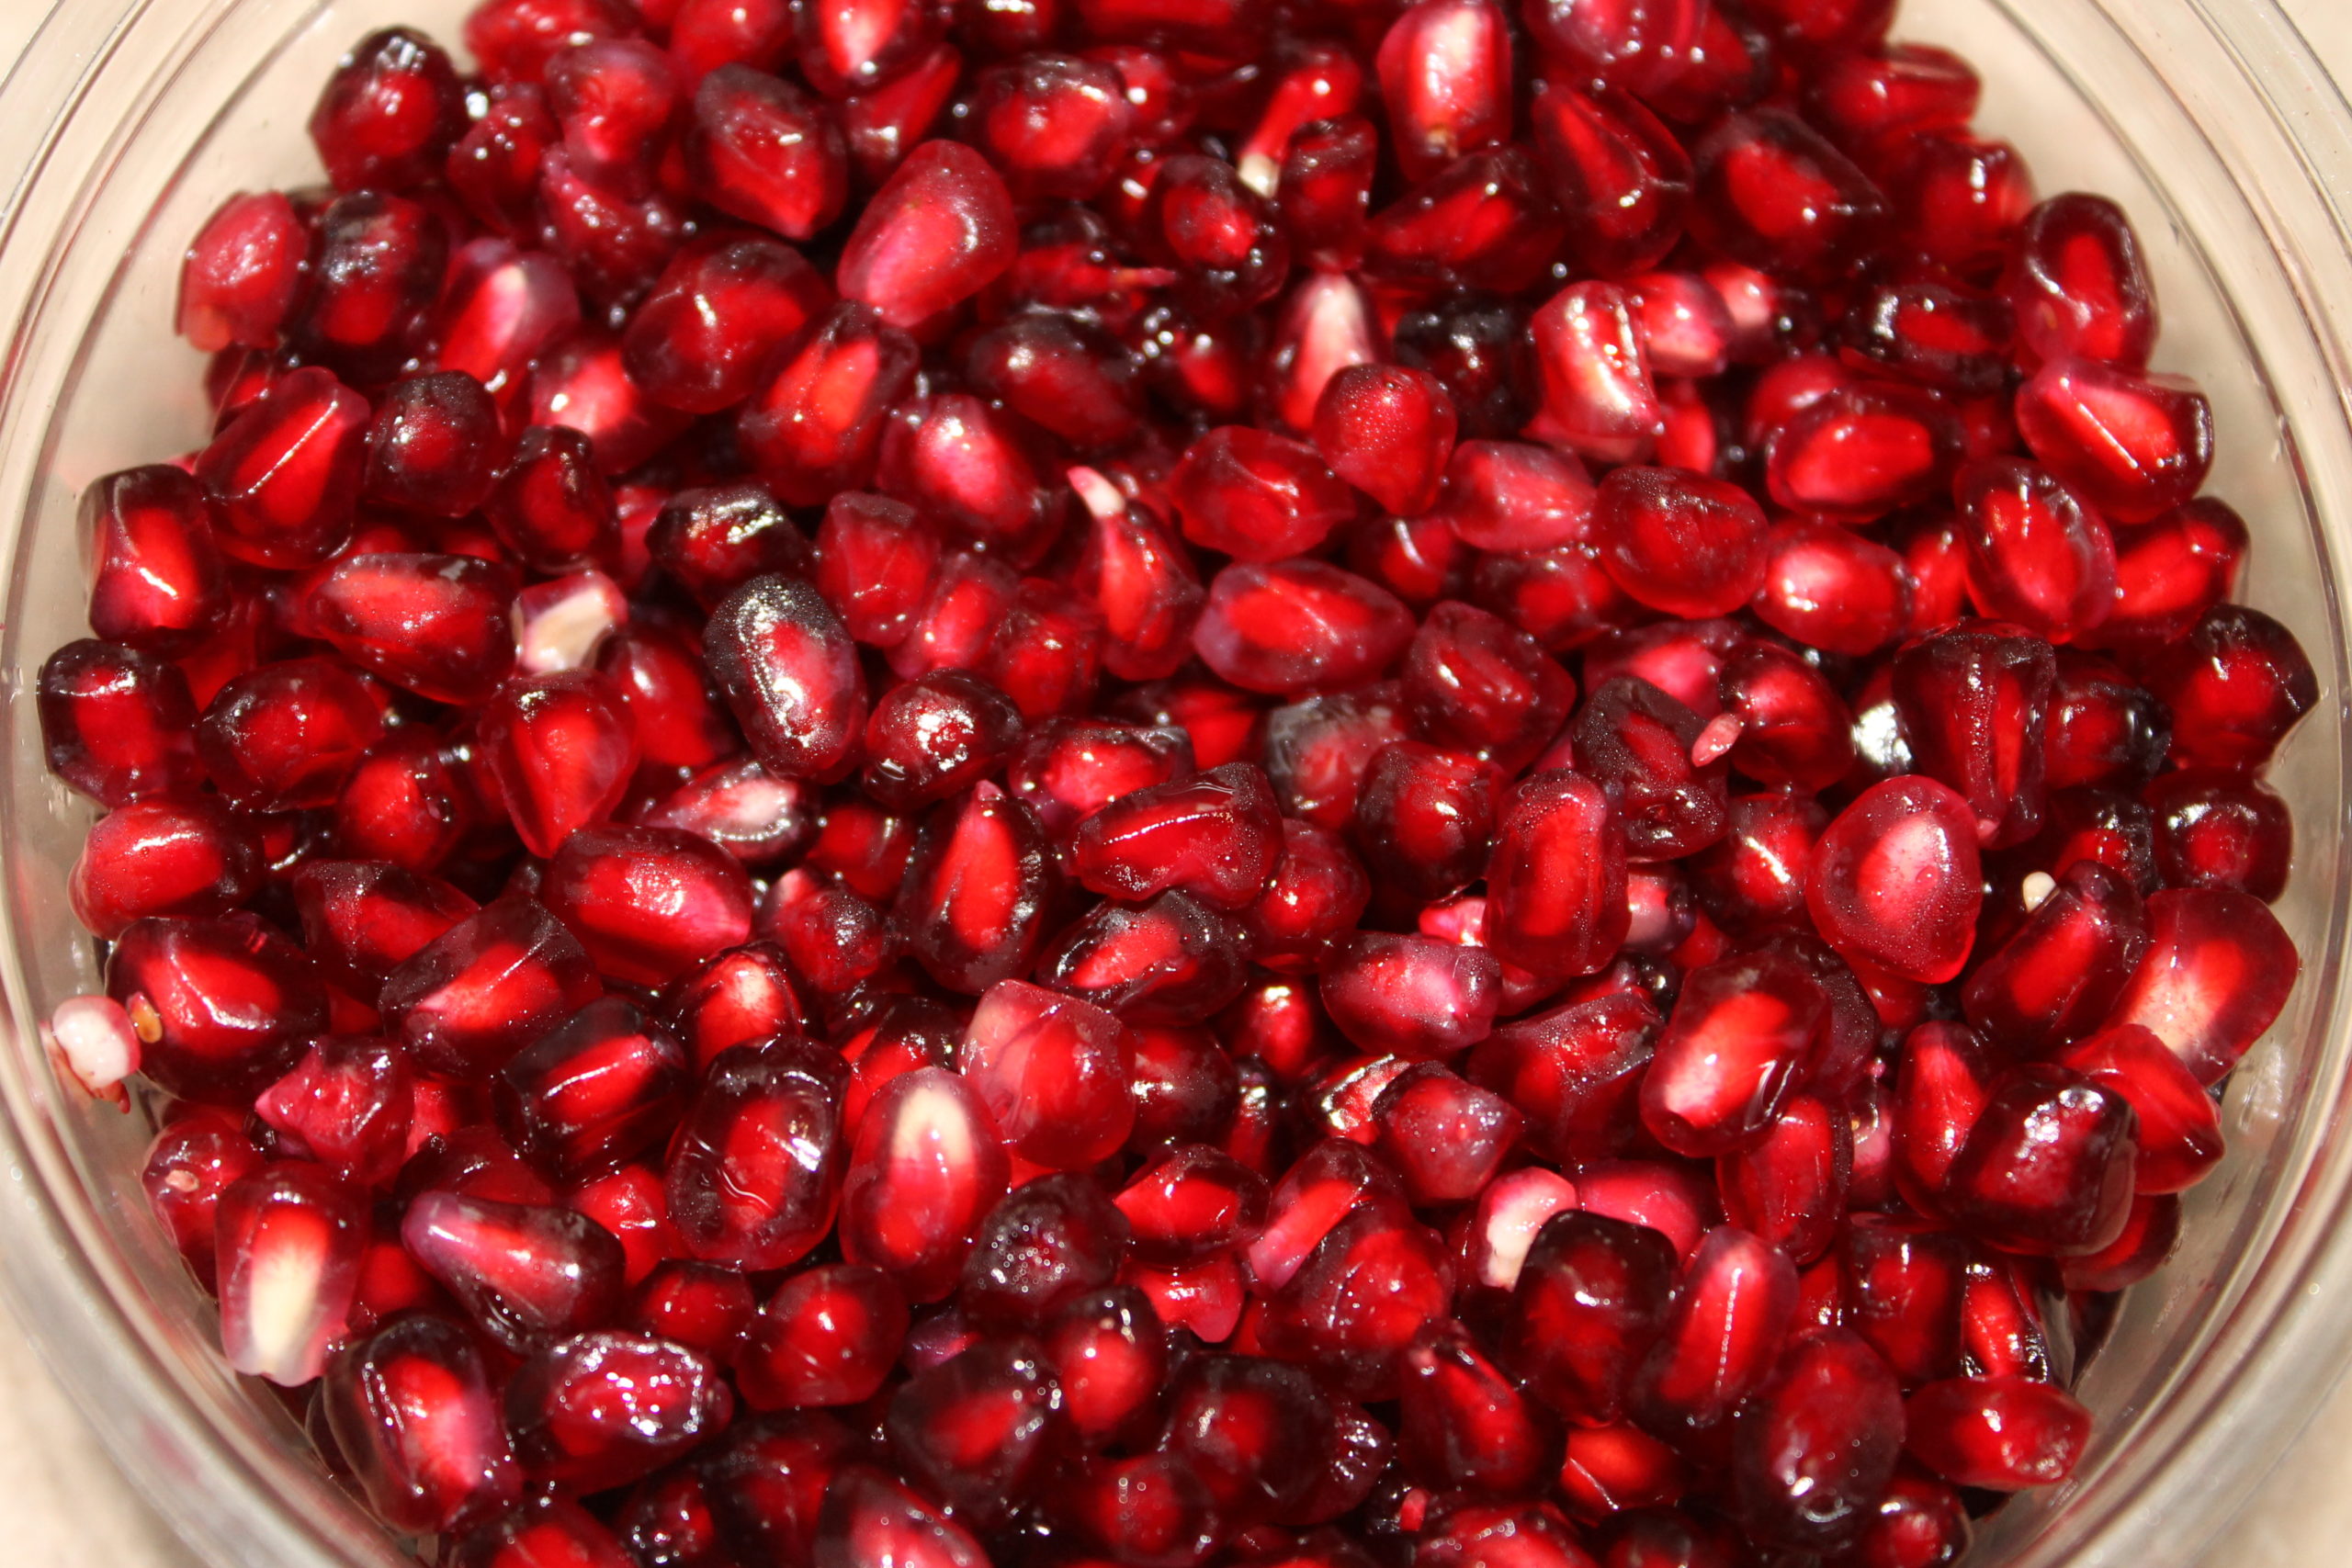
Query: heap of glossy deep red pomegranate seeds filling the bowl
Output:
(1175,782)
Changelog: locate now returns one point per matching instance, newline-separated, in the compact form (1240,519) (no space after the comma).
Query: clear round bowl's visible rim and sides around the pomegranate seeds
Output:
(131,121)
